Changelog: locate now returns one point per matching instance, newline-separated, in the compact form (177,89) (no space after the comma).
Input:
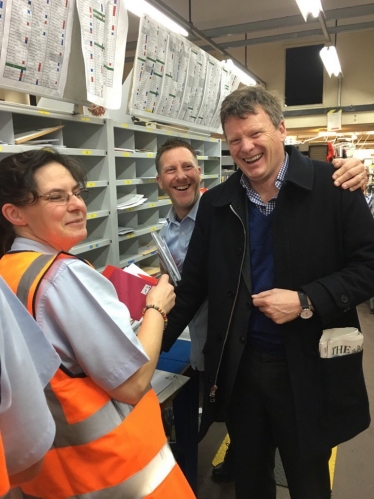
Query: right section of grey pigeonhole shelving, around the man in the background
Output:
(136,174)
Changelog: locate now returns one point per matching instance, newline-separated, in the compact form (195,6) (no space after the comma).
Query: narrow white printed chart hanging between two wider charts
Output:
(104,27)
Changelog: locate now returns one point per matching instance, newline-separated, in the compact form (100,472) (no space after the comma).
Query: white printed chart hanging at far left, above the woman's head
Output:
(36,45)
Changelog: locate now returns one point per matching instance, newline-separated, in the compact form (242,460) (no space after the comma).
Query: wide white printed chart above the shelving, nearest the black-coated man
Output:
(175,81)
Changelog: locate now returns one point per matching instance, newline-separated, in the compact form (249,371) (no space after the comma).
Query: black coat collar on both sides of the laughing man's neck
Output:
(300,172)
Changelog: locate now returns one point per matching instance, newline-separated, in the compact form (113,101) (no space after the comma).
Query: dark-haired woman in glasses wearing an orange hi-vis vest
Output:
(109,436)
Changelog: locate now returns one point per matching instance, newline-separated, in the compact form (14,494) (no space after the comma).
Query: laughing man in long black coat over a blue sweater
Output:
(281,255)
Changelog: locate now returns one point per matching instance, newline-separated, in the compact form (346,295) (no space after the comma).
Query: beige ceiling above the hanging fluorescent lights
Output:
(237,23)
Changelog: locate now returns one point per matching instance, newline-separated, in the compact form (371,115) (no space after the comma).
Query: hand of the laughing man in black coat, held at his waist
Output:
(280,305)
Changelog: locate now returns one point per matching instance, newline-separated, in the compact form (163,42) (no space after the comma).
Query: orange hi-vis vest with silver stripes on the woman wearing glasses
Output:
(103,449)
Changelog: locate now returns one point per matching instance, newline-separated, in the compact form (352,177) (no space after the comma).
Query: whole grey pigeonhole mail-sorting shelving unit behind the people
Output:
(112,174)
